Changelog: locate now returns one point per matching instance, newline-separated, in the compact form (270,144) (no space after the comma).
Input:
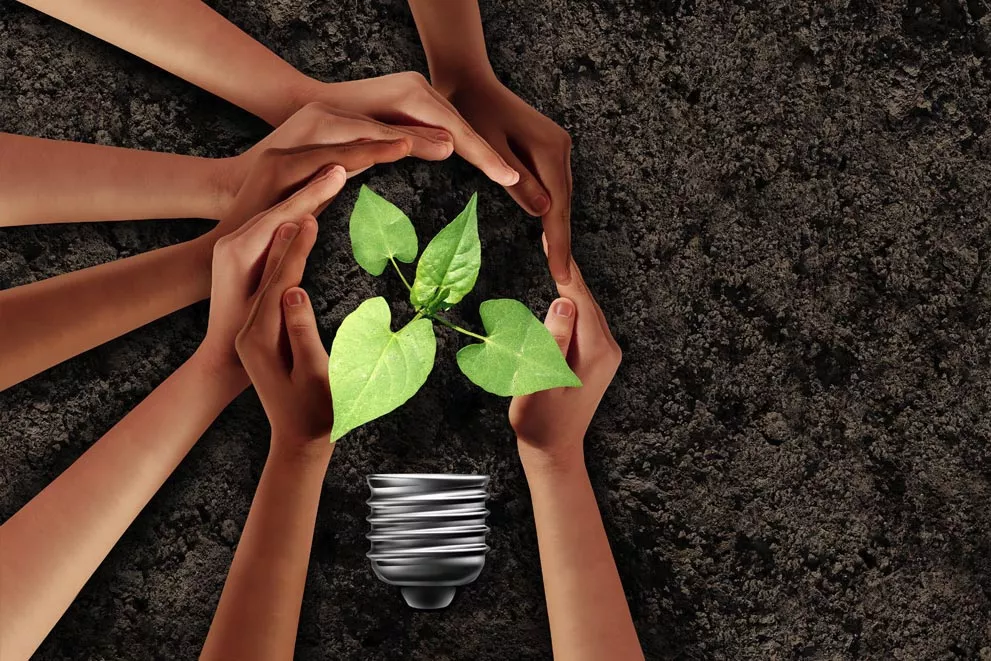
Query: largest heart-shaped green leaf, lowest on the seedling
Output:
(374,370)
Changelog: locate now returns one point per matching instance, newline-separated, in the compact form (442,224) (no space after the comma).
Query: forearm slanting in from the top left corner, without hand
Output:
(190,40)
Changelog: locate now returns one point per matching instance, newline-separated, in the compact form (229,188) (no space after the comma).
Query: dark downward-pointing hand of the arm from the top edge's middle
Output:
(535,146)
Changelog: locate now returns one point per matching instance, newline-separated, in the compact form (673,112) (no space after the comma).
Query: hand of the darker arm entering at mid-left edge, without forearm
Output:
(276,173)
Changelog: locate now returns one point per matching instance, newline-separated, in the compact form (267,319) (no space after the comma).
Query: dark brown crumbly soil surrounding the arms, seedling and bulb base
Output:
(783,208)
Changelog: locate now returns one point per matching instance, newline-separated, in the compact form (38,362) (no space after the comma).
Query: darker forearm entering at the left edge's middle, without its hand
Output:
(52,320)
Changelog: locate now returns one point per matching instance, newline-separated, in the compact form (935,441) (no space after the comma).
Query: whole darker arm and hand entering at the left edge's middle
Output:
(49,321)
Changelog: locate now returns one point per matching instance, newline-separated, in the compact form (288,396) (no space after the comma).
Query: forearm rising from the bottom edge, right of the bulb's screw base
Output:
(586,606)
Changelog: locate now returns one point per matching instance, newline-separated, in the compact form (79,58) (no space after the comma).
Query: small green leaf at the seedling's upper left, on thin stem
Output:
(380,231)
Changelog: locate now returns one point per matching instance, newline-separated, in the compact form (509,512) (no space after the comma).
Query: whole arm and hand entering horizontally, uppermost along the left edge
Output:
(56,181)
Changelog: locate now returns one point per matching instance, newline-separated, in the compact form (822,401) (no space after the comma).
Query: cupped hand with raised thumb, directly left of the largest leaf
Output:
(280,348)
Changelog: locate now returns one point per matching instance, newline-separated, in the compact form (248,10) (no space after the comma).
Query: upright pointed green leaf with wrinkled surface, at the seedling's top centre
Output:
(449,262)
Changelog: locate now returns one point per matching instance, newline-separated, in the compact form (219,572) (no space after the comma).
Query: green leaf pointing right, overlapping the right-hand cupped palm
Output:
(518,357)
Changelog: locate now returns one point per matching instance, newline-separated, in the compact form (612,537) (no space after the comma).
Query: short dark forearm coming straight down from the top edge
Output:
(453,40)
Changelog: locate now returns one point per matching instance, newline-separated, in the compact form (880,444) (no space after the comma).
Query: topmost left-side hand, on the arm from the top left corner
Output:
(408,99)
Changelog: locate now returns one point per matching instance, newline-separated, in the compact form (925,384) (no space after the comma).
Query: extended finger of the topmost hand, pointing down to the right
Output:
(435,110)
